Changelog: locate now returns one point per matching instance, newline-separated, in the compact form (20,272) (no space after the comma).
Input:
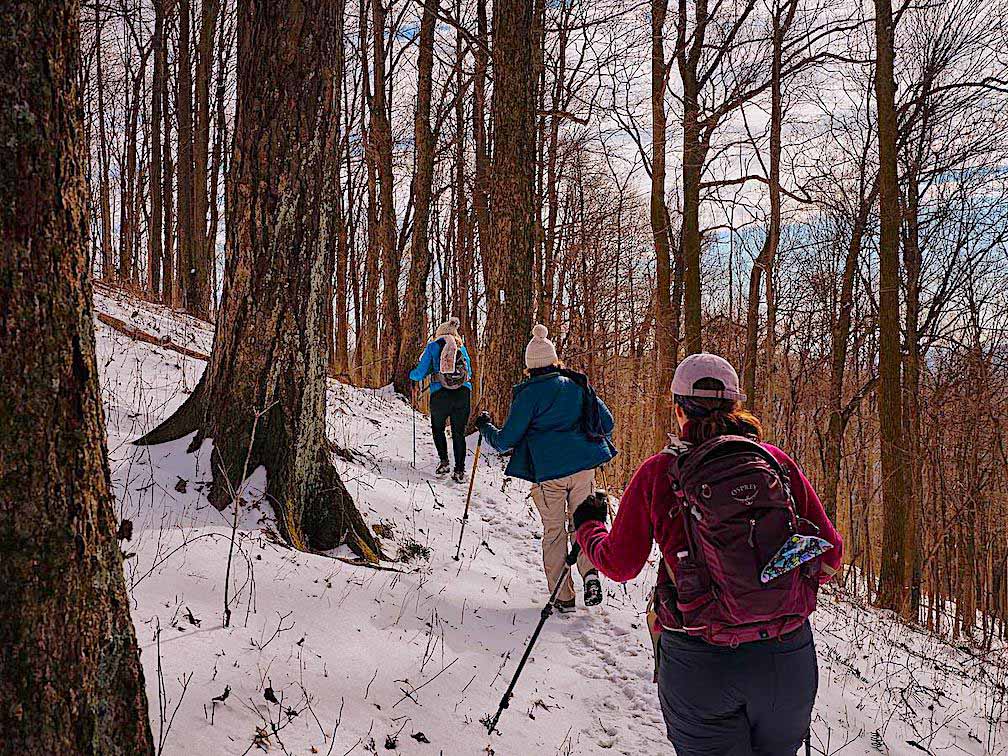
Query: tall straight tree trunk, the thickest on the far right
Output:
(895,574)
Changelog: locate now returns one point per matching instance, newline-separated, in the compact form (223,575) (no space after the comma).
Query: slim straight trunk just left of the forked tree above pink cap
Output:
(667,331)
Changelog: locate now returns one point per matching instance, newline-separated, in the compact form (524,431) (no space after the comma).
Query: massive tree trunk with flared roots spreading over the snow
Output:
(270,350)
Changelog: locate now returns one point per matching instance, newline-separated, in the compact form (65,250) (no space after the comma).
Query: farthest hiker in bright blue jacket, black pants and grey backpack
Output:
(447,361)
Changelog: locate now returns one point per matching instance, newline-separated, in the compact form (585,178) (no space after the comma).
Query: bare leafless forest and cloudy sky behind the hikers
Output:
(810,189)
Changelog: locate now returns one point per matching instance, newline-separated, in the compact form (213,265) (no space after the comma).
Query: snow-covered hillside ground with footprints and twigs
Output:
(322,657)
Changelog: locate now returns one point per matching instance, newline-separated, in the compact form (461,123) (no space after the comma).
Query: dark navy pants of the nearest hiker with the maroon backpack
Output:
(752,701)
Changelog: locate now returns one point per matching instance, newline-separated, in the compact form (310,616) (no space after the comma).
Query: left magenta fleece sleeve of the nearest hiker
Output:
(621,554)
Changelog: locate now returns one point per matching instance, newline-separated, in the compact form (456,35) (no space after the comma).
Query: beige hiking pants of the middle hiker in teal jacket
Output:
(557,501)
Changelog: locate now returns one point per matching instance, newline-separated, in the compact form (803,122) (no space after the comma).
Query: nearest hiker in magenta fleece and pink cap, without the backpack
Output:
(752,698)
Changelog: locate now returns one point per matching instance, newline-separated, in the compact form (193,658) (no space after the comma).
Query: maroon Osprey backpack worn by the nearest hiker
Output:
(737,511)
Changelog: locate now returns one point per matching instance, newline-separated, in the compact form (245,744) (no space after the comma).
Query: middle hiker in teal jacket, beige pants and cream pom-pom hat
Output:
(560,433)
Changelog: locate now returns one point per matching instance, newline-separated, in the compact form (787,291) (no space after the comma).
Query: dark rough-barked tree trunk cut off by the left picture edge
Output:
(80,692)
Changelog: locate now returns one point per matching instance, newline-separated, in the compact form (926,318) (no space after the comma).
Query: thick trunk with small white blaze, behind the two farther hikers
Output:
(510,307)
